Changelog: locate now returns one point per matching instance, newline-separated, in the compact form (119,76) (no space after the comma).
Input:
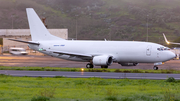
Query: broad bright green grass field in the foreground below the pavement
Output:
(86,89)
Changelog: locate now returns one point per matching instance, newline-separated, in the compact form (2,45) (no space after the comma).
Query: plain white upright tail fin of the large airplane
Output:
(37,28)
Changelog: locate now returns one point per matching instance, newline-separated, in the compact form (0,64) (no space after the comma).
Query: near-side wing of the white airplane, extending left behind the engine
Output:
(73,54)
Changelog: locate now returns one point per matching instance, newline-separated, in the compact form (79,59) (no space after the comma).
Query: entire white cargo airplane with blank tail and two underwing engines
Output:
(99,53)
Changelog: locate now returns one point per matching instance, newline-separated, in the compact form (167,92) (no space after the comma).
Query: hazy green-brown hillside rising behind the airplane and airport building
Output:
(99,19)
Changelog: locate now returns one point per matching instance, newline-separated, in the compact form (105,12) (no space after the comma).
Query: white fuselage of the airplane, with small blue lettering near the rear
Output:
(121,51)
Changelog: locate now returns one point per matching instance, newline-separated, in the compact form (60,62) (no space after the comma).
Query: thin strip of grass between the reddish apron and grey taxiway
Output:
(88,70)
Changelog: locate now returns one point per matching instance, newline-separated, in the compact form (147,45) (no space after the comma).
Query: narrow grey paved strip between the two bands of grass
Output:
(90,74)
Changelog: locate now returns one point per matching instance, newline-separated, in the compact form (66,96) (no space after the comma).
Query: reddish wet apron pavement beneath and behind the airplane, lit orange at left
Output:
(47,61)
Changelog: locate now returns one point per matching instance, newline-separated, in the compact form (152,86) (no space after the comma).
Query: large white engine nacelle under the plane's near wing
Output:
(102,60)
